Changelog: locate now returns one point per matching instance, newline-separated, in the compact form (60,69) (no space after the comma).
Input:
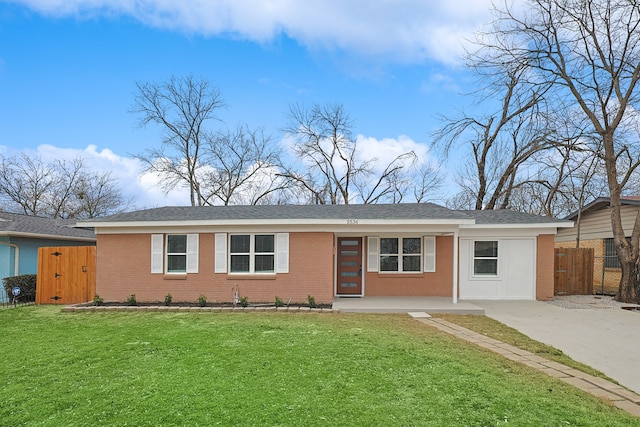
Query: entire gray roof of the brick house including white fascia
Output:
(417,213)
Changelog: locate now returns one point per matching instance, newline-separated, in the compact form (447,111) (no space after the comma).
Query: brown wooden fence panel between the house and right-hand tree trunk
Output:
(573,271)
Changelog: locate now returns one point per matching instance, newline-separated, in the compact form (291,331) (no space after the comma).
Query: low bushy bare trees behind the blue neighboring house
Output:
(59,189)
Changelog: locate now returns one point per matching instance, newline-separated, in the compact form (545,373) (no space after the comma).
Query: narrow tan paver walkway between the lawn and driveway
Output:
(619,396)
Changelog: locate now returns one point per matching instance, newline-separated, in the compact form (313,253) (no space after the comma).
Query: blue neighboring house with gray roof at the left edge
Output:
(22,235)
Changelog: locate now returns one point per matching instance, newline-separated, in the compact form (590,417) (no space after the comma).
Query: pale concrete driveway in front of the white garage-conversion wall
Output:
(607,339)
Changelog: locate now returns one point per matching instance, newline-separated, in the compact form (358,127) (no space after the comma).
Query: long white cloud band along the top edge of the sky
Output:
(406,31)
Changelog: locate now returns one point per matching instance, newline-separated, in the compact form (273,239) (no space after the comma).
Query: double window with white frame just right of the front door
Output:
(400,254)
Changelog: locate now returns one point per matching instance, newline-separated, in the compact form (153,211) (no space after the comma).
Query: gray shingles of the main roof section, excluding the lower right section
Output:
(266,212)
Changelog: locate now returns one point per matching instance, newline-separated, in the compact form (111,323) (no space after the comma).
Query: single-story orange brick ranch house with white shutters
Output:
(325,251)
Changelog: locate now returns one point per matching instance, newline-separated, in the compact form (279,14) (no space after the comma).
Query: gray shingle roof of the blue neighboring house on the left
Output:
(45,228)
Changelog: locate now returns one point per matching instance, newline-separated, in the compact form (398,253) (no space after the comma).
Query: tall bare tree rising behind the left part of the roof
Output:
(182,106)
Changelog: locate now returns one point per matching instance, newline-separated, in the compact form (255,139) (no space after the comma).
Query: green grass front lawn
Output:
(290,369)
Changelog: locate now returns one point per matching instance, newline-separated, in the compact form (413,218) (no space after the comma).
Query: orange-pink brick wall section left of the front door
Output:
(124,268)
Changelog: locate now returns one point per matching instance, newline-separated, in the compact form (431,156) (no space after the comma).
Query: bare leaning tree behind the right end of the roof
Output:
(501,144)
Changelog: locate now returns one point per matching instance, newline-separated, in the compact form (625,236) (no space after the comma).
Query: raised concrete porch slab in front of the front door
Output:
(404,305)
